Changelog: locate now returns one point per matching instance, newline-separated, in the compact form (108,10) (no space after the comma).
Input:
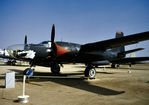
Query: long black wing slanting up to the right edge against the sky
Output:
(116,42)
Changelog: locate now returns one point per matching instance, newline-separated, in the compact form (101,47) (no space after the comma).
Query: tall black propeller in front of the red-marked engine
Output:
(53,47)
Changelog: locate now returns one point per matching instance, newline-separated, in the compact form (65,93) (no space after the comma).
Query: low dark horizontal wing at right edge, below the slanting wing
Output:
(132,60)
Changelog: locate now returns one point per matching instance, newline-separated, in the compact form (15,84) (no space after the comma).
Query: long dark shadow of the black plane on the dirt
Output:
(71,80)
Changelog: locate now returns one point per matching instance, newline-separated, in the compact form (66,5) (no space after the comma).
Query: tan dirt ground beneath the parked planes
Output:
(111,86)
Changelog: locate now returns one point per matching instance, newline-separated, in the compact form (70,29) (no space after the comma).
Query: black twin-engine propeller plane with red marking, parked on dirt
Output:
(53,54)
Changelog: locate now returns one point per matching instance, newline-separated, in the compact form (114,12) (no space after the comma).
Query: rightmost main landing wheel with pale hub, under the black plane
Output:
(90,72)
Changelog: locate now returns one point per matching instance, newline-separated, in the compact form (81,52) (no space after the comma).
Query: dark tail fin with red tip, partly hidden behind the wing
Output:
(120,49)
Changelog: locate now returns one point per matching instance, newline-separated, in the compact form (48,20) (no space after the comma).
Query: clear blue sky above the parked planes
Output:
(80,21)
